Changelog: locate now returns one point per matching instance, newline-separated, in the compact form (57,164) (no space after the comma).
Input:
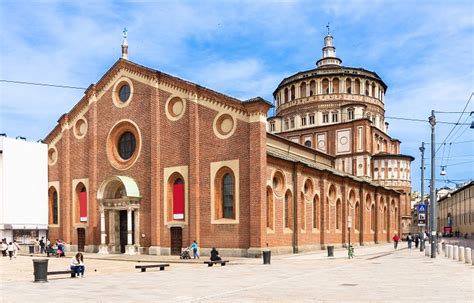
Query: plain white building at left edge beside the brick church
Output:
(23,190)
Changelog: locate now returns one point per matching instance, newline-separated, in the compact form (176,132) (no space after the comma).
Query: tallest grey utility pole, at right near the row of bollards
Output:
(433,227)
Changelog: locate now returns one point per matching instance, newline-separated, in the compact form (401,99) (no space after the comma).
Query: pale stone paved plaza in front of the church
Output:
(378,273)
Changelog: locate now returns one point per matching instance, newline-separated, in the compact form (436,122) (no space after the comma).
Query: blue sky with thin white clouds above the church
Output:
(423,51)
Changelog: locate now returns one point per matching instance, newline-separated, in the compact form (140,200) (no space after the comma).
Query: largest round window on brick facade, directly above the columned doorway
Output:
(123,144)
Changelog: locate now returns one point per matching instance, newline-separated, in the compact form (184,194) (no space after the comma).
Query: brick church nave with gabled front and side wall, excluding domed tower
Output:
(147,163)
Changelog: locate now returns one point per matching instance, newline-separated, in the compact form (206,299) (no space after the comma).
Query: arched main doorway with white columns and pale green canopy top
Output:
(119,208)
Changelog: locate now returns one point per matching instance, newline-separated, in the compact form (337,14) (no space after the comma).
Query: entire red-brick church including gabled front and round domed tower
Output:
(146,162)
